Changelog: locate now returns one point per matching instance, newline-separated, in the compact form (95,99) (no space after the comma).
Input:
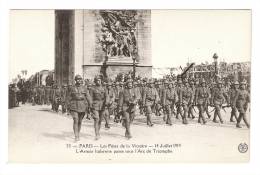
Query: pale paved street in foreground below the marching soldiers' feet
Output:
(38,135)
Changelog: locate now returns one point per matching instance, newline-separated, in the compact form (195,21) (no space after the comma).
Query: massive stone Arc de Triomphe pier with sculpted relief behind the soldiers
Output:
(90,42)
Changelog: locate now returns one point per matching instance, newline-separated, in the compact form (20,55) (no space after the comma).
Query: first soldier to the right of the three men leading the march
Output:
(150,98)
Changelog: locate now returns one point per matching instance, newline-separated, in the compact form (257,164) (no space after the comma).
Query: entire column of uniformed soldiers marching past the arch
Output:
(182,98)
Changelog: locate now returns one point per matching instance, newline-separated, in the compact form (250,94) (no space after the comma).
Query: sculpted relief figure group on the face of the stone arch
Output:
(118,33)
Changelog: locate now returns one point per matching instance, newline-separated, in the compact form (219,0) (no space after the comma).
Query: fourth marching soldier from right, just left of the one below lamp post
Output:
(202,99)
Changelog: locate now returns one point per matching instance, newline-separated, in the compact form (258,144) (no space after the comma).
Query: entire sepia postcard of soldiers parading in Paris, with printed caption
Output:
(129,86)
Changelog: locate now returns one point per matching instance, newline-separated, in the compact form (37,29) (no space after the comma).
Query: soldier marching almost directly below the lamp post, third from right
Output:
(218,98)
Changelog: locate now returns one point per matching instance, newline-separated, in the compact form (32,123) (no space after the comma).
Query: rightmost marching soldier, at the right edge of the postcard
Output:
(241,100)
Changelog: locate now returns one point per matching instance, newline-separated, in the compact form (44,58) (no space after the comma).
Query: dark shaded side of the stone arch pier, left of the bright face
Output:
(64,47)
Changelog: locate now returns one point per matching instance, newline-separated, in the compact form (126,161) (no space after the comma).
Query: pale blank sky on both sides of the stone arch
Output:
(178,36)
